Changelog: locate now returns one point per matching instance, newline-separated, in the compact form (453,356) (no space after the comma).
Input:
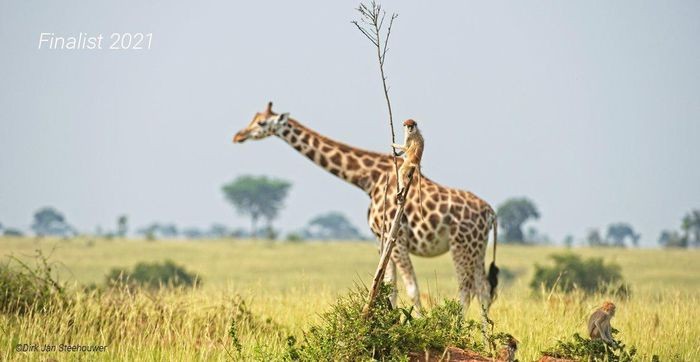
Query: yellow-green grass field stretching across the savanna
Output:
(290,284)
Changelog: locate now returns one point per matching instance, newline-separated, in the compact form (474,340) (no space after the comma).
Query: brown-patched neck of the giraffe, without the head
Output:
(356,166)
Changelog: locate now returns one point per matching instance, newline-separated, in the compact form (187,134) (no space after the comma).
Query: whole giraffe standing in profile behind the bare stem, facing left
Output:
(454,220)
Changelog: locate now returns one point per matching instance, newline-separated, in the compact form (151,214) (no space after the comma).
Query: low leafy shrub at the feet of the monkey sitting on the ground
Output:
(584,349)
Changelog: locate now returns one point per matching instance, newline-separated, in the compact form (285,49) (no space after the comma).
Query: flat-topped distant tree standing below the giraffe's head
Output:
(256,197)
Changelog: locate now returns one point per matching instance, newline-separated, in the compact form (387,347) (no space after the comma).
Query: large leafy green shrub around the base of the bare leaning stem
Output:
(388,334)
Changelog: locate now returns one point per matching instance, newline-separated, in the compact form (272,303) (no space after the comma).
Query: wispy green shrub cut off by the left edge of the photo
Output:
(24,289)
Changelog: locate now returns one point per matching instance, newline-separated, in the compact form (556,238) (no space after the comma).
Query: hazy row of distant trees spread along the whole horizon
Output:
(261,198)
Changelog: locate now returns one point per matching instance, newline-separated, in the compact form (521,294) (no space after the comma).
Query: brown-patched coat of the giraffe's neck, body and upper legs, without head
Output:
(449,219)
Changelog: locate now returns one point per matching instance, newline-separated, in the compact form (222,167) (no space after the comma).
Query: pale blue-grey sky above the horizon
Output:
(590,108)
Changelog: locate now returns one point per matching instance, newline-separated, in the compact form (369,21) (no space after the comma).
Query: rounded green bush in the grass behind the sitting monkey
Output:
(570,272)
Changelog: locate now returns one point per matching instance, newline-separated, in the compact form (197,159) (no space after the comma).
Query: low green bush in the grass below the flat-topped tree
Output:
(154,276)
